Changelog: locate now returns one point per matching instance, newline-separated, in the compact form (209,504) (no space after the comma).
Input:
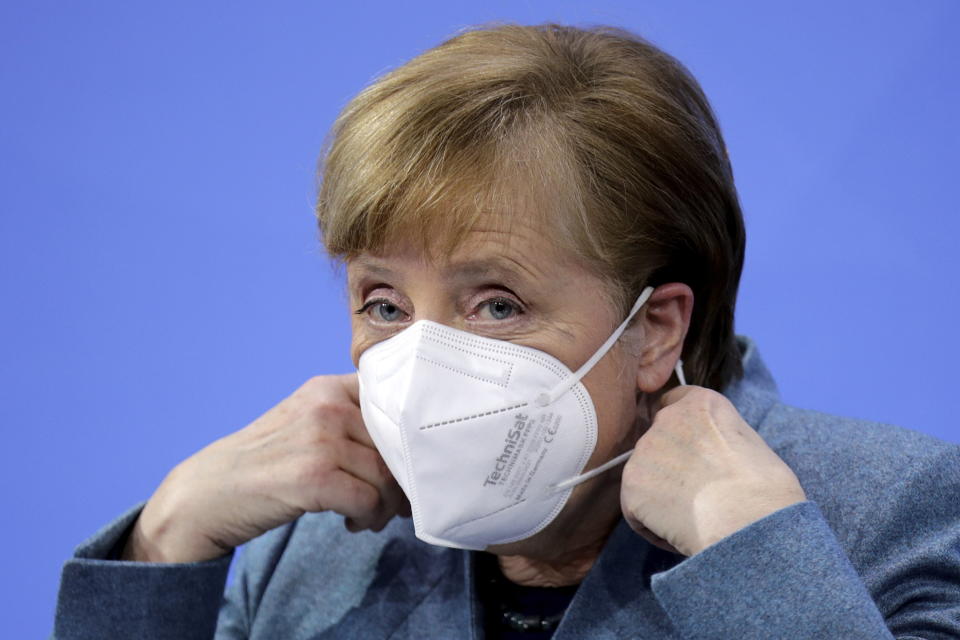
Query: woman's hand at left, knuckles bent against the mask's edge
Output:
(309,453)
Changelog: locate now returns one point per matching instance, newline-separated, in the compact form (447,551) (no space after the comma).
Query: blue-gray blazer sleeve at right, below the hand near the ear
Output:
(787,575)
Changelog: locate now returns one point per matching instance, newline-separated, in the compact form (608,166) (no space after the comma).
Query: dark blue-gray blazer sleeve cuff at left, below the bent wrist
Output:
(104,598)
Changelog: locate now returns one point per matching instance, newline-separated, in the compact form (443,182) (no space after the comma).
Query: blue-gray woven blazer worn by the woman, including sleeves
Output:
(874,553)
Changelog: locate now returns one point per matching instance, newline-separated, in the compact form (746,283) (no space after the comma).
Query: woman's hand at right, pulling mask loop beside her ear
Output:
(701,473)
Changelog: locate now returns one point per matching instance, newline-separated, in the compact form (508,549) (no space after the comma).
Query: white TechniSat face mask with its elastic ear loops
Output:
(487,438)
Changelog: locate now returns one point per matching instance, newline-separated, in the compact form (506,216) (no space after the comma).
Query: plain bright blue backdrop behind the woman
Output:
(162,284)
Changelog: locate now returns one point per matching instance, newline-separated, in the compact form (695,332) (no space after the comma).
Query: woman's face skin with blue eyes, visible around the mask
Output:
(517,286)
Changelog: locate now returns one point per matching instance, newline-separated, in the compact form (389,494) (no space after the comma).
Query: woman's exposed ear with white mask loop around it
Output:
(664,321)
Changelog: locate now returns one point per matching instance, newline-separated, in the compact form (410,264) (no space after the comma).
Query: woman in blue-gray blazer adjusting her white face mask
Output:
(543,245)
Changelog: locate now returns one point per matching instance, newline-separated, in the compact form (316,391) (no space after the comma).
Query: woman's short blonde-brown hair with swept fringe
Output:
(612,134)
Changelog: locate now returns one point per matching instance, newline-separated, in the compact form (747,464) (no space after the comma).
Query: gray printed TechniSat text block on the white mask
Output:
(525,445)
